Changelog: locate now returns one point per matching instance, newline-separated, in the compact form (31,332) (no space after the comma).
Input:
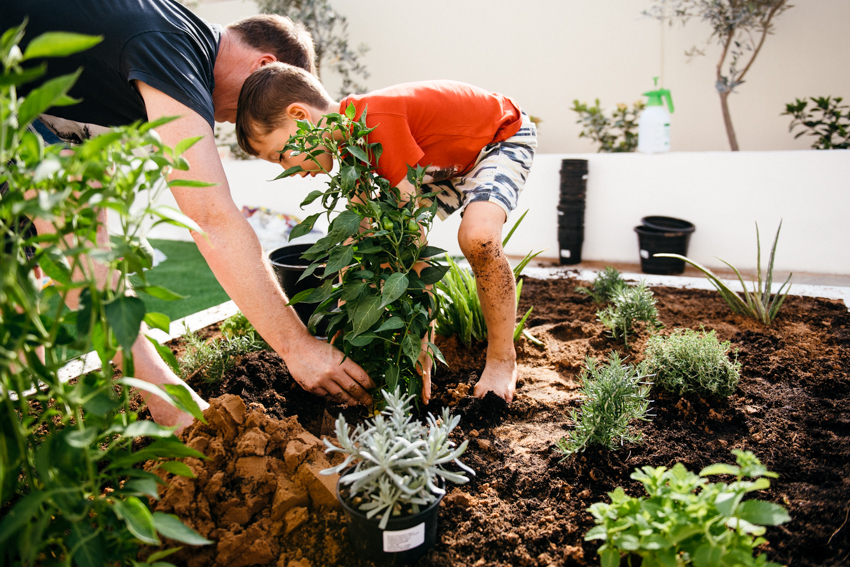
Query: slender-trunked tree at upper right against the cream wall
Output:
(739,27)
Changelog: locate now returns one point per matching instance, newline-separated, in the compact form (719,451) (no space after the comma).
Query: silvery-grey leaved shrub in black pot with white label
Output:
(393,479)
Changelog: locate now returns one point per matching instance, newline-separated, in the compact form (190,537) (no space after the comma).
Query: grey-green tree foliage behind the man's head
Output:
(329,30)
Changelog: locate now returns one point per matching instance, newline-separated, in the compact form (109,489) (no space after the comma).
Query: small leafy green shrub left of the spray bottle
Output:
(614,130)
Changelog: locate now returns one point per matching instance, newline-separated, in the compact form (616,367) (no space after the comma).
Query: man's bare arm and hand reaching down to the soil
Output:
(234,254)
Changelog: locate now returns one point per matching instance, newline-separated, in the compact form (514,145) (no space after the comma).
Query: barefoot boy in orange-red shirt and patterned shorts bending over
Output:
(477,148)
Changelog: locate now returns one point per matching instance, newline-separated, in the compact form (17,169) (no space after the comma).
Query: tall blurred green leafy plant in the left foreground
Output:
(70,489)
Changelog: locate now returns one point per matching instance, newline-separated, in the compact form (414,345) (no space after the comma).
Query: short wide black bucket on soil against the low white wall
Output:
(663,235)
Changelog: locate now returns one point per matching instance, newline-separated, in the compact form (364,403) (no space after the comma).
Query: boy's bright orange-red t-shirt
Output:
(440,125)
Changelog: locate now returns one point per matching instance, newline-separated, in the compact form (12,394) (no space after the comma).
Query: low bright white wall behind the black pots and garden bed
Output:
(723,193)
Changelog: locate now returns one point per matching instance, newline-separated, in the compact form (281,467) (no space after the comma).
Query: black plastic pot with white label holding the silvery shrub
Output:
(404,540)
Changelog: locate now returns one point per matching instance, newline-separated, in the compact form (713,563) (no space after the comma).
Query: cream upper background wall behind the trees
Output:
(546,53)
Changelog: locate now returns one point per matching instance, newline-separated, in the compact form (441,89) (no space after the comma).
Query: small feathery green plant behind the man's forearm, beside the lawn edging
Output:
(211,360)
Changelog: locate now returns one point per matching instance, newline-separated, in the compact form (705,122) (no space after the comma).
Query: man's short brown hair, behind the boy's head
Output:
(288,41)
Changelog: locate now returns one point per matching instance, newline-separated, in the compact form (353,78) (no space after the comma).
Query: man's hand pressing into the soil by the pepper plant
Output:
(316,366)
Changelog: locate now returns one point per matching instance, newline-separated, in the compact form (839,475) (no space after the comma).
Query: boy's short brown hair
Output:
(266,95)
